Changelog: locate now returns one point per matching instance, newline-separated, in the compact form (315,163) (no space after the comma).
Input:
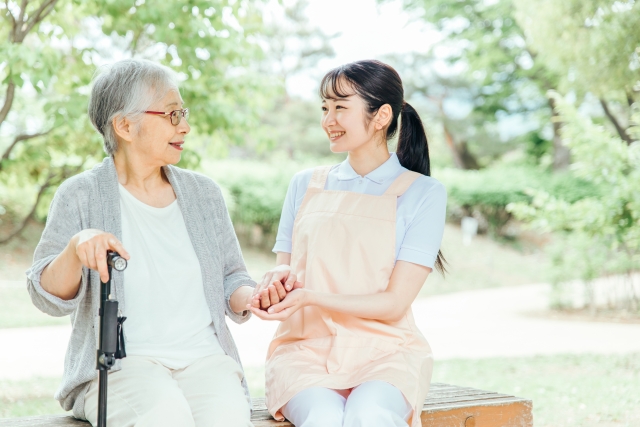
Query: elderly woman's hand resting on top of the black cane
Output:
(91,247)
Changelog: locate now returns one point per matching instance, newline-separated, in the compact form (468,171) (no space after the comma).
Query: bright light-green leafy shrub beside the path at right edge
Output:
(609,220)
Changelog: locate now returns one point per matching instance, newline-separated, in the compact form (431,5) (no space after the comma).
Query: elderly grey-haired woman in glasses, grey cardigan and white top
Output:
(185,271)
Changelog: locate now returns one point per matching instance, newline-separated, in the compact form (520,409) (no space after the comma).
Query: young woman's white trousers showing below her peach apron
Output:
(371,404)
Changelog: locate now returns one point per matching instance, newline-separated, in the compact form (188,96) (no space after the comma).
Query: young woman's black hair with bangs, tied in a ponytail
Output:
(379,84)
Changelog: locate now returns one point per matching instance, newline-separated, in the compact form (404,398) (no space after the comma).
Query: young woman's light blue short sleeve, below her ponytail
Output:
(424,232)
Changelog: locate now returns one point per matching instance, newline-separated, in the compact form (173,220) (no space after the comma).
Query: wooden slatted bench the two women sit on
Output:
(445,406)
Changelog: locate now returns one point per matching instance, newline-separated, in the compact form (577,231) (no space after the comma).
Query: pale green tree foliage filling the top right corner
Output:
(594,45)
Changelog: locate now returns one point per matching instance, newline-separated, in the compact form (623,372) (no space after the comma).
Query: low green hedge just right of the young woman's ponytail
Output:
(485,194)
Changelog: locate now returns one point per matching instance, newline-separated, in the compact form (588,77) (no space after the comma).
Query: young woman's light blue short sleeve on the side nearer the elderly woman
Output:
(292,201)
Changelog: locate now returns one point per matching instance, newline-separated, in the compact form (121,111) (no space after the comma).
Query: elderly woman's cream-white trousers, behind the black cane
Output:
(145,393)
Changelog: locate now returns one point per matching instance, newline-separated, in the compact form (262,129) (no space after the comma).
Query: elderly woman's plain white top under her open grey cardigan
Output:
(167,315)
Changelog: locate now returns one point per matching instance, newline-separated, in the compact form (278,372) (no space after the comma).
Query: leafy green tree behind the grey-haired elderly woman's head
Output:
(50,49)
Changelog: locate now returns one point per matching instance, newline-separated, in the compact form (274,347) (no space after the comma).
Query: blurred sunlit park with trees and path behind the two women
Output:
(532,110)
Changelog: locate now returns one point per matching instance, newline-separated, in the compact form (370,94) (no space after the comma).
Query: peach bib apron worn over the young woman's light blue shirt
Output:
(344,243)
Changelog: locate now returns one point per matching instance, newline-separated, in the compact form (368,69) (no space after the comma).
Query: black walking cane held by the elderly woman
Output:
(111,341)
